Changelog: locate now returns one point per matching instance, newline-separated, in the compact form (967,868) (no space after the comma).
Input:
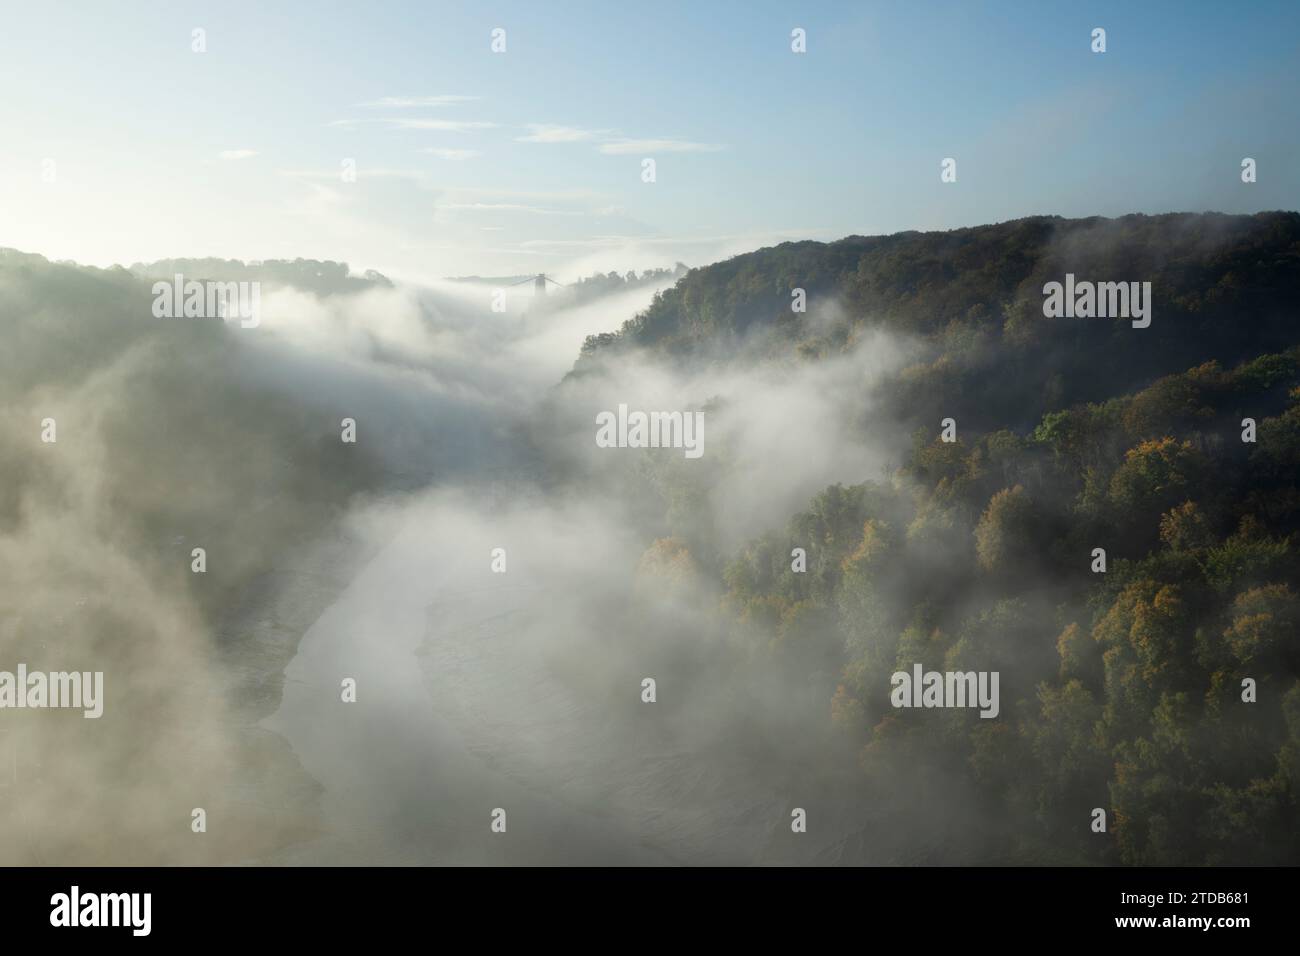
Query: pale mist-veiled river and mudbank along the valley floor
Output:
(478,690)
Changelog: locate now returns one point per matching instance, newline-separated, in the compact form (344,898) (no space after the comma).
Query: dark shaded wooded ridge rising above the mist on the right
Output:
(1224,289)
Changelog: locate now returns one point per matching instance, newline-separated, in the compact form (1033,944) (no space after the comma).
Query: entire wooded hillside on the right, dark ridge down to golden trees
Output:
(1160,686)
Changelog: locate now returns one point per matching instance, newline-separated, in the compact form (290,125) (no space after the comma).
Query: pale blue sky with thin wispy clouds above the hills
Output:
(122,144)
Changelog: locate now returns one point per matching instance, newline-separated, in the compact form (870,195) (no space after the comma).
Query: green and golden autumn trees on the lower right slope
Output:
(1138,710)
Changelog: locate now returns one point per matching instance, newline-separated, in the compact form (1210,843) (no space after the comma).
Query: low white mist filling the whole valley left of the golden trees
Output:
(374,561)
